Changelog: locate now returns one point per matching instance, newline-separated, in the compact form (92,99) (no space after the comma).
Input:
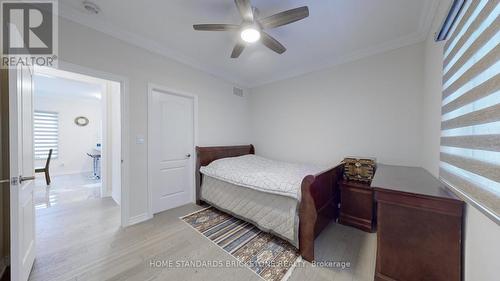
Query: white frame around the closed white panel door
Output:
(155,87)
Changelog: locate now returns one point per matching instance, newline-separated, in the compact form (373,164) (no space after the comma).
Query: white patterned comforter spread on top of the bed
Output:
(261,174)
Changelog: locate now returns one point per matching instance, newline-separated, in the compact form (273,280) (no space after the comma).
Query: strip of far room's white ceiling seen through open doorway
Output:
(63,88)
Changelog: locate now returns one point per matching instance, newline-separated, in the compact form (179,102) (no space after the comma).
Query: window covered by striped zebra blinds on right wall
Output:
(470,125)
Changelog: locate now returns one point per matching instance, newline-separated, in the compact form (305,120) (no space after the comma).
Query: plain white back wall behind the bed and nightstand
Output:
(370,107)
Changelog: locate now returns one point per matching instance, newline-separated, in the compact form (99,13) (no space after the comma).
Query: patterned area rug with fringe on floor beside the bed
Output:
(268,256)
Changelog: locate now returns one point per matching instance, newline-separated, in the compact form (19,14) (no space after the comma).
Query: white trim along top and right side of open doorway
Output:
(125,117)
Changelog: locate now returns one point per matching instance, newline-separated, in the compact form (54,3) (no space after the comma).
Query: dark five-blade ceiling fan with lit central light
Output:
(252,28)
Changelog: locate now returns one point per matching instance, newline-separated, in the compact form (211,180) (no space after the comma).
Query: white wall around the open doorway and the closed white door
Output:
(223,117)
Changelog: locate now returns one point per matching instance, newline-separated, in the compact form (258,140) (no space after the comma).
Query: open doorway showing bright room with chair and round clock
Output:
(77,158)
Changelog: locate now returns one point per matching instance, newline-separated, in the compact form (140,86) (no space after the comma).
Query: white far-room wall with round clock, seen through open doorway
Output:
(74,141)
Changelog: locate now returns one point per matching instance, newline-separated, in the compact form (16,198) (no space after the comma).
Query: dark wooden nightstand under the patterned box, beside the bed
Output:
(357,206)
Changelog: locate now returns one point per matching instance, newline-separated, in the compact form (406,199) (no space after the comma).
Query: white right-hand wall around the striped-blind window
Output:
(482,235)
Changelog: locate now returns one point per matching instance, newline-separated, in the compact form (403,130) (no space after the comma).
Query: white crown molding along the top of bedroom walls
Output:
(100,25)
